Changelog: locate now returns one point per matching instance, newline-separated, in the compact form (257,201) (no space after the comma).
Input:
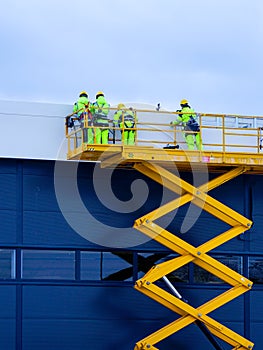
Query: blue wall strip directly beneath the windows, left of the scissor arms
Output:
(94,302)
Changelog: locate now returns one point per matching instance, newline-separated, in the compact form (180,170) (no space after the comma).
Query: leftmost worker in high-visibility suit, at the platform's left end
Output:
(81,108)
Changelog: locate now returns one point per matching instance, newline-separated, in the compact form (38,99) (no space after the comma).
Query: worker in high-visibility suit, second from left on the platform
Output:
(100,111)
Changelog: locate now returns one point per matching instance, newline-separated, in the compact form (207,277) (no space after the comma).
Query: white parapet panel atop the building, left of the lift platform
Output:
(33,130)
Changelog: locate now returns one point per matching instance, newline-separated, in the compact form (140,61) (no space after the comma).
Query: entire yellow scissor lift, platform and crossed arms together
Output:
(157,164)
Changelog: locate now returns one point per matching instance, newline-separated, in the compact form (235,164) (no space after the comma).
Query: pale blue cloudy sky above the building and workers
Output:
(149,51)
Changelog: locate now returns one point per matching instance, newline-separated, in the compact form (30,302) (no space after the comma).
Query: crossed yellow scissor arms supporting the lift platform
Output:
(188,253)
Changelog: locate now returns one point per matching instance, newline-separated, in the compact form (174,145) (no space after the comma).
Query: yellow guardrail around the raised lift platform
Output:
(219,132)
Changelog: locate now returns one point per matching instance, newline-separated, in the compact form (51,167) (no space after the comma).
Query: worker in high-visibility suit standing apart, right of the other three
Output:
(187,118)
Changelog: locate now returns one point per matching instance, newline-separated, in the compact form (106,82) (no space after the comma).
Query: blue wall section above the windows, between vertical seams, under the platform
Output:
(40,202)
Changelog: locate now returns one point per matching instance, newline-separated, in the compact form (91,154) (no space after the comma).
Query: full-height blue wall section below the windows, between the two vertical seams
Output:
(105,318)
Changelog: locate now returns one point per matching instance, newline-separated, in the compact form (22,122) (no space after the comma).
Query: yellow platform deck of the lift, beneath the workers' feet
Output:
(185,160)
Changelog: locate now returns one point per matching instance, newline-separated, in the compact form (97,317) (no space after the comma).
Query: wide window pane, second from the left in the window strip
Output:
(48,264)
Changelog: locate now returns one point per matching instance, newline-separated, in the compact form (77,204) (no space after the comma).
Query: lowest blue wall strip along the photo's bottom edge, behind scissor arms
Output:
(86,335)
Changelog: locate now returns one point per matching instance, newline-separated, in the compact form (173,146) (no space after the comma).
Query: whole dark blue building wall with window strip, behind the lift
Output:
(59,290)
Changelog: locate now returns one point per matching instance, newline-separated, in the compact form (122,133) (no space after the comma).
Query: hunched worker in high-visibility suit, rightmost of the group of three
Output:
(125,119)
